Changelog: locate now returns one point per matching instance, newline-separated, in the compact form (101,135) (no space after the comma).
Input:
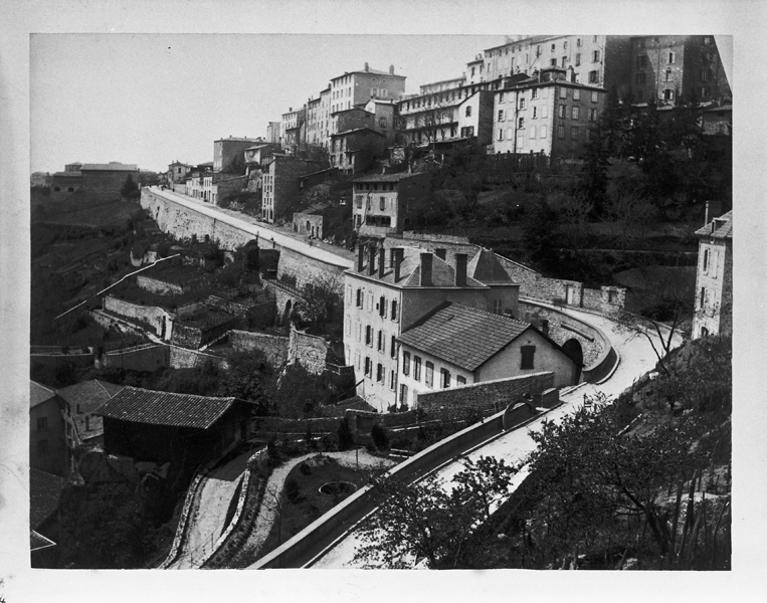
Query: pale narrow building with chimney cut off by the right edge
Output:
(713,281)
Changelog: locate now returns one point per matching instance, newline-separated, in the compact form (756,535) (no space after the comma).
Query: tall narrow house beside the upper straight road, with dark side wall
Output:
(280,185)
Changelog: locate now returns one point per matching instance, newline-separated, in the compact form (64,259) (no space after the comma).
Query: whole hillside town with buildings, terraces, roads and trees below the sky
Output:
(502,302)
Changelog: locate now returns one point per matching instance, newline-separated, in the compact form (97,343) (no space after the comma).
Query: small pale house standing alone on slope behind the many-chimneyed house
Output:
(381,202)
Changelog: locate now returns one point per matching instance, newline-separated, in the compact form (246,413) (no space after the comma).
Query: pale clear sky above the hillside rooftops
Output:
(150,99)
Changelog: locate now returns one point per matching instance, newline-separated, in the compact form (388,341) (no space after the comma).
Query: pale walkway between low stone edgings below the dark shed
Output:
(206,522)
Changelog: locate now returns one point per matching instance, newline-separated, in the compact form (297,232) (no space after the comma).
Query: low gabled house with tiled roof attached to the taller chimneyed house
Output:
(456,345)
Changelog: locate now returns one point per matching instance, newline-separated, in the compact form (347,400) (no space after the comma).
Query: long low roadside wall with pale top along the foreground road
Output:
(303,548)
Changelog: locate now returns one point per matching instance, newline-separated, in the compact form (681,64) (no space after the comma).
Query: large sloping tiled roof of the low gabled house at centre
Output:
(463,336)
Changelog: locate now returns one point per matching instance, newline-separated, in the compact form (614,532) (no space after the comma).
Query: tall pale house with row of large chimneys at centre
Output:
(390,288)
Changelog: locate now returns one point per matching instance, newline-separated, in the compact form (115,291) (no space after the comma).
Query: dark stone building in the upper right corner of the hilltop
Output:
(666,69)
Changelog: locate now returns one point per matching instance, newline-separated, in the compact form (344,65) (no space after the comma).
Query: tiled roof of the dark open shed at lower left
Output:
(138,405)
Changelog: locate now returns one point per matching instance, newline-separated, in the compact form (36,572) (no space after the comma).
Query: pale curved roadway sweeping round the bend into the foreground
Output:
(636,358)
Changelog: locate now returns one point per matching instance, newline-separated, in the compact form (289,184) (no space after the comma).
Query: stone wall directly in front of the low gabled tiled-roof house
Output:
(483,398)
